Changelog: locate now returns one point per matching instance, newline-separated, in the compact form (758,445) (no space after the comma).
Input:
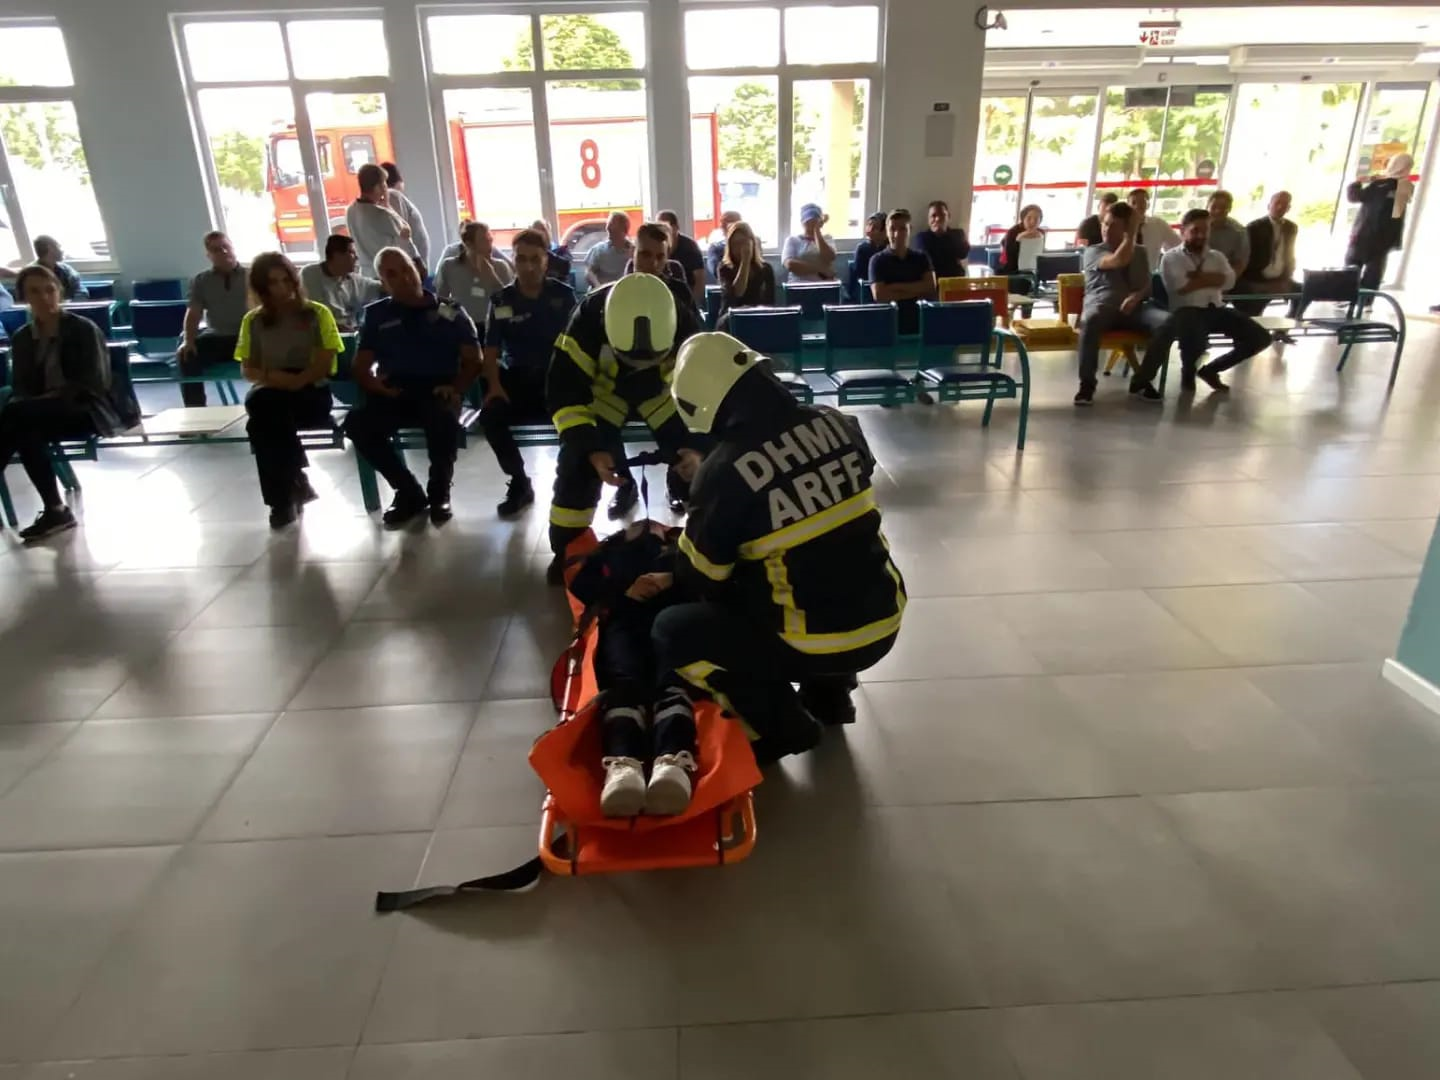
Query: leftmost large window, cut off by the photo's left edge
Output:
(44,176)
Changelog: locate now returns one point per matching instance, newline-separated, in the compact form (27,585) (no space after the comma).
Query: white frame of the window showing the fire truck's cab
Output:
(299,89)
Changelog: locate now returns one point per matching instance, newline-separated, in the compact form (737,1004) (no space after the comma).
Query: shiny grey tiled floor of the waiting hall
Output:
(1128,801)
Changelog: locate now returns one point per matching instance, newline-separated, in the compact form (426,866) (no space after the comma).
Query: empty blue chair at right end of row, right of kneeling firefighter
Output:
(967,329)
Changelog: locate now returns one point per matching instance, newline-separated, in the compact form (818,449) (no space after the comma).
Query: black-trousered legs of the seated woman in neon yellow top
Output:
(274,426)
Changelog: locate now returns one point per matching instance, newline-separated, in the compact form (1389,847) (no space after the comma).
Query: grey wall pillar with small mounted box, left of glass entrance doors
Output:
(932,58)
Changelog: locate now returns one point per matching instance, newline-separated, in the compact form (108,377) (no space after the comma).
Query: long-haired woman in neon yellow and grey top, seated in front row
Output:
(287,351)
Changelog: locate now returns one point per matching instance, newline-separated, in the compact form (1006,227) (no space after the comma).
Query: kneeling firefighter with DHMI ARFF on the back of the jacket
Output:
(784,545)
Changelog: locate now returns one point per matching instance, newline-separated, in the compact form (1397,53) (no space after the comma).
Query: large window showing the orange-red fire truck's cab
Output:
(293,140)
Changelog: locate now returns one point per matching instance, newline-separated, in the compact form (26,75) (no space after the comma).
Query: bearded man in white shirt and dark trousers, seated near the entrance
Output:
(1196,276)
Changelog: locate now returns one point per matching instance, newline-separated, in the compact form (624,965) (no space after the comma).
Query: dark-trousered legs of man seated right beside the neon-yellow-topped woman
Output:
(372,428)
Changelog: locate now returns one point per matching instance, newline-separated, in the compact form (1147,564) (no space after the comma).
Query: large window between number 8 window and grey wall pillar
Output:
(798,132)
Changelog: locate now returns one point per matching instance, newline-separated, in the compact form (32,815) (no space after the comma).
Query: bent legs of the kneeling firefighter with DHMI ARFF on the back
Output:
(751,673)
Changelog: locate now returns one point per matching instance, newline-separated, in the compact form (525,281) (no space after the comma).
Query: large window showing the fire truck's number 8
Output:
(531,140)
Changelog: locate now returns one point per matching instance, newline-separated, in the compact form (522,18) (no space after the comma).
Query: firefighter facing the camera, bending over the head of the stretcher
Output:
(614,361)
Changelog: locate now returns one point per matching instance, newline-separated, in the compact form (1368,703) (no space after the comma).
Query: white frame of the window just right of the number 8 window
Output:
(788,76)
